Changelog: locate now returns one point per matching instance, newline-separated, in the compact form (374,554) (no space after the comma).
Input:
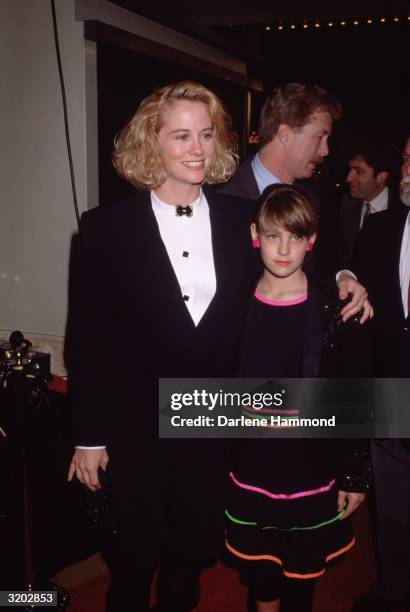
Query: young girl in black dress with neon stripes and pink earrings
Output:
(288,503)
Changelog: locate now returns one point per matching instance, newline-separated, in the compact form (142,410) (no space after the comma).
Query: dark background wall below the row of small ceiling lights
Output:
(366,67)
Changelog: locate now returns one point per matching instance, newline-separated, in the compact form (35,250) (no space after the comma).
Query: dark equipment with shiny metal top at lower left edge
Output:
(24,374)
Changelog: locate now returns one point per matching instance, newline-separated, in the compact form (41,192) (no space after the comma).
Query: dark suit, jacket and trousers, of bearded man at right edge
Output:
(377,262)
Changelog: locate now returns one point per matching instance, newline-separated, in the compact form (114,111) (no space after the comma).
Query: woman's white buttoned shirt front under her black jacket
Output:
(188,241)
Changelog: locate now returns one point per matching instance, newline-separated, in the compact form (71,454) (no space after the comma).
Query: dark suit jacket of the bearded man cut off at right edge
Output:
(377,265)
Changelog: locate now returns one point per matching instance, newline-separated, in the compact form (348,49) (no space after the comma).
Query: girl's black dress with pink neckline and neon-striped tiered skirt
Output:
(282,506)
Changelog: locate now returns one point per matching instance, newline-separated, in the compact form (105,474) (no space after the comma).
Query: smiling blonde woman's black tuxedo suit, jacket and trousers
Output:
(130,326)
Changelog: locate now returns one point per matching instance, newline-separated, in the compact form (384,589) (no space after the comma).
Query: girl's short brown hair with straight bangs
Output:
(288,206)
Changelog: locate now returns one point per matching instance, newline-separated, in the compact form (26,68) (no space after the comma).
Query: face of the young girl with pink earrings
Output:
(282,252)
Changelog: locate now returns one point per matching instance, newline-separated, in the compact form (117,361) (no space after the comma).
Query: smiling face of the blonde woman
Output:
(187,143)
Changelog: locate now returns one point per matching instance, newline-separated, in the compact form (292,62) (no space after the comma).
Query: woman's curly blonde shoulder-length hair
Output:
(137,152)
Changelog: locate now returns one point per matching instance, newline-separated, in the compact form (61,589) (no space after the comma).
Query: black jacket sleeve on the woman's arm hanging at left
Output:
(91,321)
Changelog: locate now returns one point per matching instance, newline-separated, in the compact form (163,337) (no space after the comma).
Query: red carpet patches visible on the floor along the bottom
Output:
(221,591)
